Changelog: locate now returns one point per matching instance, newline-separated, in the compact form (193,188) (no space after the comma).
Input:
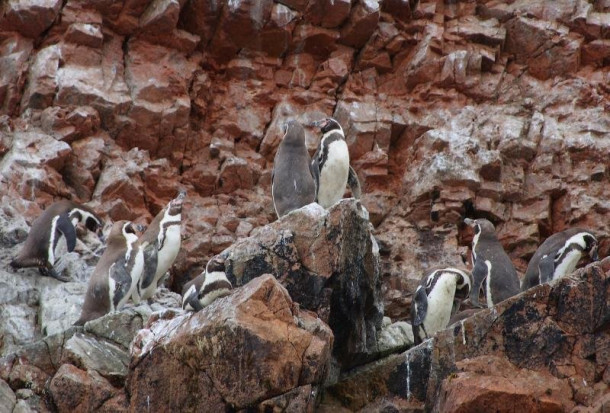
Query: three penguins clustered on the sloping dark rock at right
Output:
(436,301)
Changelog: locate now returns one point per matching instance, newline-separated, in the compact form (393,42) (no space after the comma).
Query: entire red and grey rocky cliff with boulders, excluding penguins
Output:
(476,108)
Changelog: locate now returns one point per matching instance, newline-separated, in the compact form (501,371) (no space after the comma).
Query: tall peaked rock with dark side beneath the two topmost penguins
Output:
(328,261)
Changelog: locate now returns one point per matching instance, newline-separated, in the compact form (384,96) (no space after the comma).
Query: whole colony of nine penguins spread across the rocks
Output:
(135,261)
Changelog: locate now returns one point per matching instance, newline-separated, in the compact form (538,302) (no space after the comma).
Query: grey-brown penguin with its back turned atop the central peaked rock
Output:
(293,180)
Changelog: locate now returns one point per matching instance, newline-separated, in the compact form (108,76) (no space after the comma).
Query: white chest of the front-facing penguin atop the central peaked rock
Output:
(333,174)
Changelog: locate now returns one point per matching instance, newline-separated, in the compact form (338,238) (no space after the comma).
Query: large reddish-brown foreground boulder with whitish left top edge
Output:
(200,349)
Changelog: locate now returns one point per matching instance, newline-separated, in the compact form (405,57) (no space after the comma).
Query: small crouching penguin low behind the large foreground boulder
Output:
(207,286)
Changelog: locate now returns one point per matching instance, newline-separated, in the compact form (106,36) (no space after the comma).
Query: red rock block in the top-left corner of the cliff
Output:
(29,19)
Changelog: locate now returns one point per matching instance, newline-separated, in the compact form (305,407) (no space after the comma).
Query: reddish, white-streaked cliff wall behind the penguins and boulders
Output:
(478,108)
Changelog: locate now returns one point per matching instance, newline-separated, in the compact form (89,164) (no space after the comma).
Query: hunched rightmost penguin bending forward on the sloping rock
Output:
(558,256)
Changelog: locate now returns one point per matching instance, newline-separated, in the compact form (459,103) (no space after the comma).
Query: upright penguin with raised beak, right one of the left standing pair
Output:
(161,244)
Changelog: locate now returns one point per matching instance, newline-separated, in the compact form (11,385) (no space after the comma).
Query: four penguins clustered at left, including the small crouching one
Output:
(132,264)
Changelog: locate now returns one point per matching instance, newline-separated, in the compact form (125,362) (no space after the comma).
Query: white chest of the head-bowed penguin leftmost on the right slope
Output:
(440,303)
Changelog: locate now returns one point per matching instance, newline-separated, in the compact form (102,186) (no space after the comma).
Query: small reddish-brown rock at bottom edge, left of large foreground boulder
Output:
(77,390)
